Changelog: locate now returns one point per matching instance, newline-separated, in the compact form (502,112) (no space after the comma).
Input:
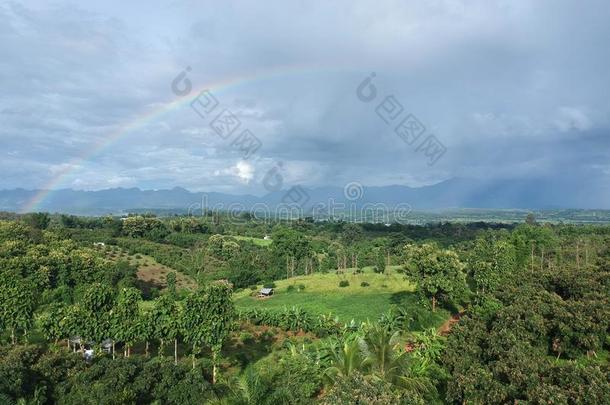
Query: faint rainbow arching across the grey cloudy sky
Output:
(141,120)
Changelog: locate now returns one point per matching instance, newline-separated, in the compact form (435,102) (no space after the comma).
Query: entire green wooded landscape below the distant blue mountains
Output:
(535,329)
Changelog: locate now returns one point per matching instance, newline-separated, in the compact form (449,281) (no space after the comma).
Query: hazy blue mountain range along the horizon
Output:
(454,193)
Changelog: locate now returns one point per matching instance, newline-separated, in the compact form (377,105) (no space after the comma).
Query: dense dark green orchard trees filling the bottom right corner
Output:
(509,347)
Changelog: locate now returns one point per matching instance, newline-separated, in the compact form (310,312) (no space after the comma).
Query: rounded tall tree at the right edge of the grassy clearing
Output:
(438,272)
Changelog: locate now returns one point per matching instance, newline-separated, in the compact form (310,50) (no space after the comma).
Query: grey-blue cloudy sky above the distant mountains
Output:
(92,95)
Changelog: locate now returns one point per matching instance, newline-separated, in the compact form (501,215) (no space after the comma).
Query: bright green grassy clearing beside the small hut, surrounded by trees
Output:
(322,295)
